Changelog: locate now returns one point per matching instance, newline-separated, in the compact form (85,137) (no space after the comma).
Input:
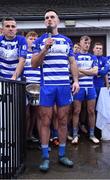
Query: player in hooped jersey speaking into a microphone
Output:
(53,52)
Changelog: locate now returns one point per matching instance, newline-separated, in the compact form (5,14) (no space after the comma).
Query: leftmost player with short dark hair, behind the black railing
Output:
(13,50)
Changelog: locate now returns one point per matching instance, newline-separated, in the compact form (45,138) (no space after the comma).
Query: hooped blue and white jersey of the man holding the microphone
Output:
(55,65)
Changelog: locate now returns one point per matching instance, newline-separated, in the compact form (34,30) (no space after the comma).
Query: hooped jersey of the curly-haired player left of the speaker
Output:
(32,74)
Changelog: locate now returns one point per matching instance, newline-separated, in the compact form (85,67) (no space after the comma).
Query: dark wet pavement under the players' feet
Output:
(91,161)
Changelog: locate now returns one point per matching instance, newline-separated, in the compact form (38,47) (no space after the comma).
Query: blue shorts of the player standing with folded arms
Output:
(85,94)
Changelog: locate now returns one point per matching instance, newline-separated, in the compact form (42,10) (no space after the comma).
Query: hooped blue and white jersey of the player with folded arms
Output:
(86,61)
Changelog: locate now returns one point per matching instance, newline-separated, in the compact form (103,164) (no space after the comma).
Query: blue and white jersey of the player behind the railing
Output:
(10,51)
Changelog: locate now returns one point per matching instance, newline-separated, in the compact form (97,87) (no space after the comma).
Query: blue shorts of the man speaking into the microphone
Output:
(59,95)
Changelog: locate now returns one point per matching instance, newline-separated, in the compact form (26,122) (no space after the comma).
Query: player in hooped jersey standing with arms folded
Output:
(88,67)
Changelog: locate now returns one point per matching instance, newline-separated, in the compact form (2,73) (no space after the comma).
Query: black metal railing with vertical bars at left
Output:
(12,128)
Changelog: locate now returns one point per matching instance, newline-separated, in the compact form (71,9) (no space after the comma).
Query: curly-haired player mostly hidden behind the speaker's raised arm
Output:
(32,76)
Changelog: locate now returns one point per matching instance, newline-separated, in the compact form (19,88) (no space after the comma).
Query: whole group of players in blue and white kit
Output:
(70,80)
